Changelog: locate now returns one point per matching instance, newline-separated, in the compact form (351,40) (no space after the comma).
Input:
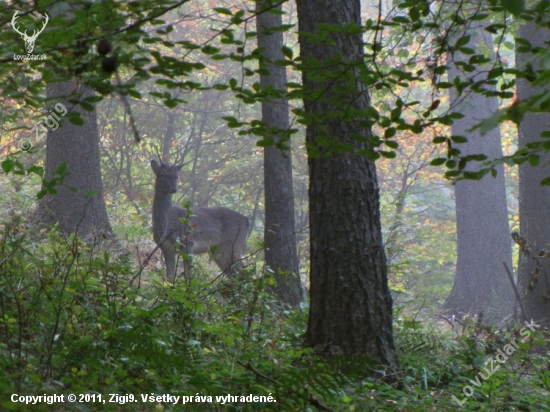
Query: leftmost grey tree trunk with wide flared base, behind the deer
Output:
(73,185)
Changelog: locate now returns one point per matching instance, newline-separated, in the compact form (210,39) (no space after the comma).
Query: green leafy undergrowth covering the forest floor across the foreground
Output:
(72,322)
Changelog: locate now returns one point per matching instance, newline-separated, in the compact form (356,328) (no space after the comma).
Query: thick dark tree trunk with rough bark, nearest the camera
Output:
(350,302)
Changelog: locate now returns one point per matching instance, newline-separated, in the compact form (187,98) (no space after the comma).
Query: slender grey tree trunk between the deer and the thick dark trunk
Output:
(280,233)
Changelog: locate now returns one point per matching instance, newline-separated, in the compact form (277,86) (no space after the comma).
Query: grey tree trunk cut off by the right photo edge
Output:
(534,271)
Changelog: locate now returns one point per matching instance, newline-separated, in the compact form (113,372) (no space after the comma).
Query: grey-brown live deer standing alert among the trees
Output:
(218,231)
